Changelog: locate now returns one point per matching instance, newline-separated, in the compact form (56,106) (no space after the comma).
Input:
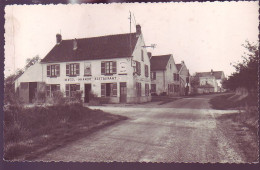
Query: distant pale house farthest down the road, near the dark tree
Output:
(210,81)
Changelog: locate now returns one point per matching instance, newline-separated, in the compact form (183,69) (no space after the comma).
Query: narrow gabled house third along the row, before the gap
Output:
(184,78)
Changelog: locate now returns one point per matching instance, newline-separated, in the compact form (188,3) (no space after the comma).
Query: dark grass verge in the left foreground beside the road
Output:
(30,132)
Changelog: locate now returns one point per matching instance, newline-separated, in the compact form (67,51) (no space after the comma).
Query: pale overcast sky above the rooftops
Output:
(205,35)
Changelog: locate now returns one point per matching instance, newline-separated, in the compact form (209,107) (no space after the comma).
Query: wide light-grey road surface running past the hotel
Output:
(180,131)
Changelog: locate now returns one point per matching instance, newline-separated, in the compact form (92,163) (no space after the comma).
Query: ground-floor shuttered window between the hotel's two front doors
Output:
(108,89)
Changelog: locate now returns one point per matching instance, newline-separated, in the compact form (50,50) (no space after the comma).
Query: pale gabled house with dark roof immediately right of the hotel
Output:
(164,76)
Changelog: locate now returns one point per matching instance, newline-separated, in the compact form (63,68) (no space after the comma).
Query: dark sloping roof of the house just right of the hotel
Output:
(159,62)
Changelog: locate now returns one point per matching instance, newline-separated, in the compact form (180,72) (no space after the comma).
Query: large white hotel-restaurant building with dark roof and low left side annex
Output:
(113,67)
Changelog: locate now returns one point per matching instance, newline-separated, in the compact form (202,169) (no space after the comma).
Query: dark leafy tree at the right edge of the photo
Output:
(246,74)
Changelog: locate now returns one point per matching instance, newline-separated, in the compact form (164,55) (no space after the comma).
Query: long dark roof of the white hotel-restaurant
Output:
(104,47)
